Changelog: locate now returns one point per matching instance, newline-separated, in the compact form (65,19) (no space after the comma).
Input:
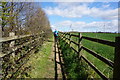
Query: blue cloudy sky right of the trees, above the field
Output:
(82,16)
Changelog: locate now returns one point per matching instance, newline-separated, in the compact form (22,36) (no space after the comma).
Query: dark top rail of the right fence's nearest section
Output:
(109,43)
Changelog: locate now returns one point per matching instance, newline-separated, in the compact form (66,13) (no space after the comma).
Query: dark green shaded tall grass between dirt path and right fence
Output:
(73,68)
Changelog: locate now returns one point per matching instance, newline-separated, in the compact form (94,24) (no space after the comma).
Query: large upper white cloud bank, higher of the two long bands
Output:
(75,10)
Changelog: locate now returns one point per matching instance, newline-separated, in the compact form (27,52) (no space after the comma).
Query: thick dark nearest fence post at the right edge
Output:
(116,71)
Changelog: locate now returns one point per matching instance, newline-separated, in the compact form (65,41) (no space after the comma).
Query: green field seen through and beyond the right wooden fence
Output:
(101,49)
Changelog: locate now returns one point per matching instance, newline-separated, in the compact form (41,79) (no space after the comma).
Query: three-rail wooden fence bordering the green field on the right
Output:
(115,65)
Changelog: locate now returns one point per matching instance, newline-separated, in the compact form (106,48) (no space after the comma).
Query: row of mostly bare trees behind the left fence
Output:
(23,18)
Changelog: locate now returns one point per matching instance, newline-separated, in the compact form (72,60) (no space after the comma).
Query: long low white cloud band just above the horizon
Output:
(109,26)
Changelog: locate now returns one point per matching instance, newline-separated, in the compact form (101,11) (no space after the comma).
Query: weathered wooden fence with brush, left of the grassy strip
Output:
(15,52)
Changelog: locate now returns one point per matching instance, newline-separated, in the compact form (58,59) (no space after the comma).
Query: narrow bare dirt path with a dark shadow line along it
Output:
(54,62)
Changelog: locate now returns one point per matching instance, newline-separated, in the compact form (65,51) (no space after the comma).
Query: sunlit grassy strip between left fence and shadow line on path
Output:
(41,63)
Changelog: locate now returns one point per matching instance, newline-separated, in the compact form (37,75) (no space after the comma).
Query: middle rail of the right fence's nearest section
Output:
(108,62)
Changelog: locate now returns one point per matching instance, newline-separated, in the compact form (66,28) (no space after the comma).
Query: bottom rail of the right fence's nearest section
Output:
(95,69)
